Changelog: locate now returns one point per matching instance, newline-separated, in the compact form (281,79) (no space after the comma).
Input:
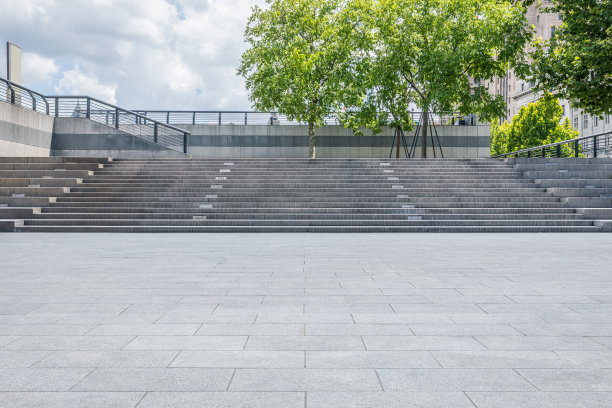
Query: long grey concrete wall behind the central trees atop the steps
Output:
(228,141)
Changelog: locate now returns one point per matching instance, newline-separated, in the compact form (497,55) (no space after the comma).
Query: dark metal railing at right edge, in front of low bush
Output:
(587,146)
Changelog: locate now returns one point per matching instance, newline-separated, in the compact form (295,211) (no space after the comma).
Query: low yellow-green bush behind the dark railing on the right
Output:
(536,124)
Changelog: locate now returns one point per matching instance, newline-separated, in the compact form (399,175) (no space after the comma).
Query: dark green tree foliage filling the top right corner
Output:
(577,61)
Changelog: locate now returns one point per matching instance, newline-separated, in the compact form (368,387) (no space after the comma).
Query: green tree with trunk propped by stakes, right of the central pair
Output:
(428,52)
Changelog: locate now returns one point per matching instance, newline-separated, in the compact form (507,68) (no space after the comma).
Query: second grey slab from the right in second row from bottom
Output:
(452,380)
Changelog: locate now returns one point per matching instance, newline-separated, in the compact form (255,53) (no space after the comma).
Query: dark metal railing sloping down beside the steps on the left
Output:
(127,121)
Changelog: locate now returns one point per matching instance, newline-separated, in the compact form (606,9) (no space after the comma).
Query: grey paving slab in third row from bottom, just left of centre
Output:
(240,359)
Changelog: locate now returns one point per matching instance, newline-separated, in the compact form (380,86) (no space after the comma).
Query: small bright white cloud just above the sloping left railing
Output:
(75,82)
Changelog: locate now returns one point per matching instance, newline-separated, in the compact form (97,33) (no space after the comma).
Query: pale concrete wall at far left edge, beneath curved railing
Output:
(24,132)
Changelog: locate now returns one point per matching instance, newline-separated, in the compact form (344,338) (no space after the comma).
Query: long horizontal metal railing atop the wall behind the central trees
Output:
(273,118)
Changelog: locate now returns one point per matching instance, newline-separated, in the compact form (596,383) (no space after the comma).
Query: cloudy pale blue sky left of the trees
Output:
(139,54)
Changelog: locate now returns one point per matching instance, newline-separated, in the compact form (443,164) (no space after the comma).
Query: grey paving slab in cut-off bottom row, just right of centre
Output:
(388,399)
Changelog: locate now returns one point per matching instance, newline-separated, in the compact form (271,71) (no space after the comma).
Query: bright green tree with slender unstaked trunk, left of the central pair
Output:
(300,60)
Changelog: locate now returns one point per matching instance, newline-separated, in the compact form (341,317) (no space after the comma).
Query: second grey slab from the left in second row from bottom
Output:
(156,379)
